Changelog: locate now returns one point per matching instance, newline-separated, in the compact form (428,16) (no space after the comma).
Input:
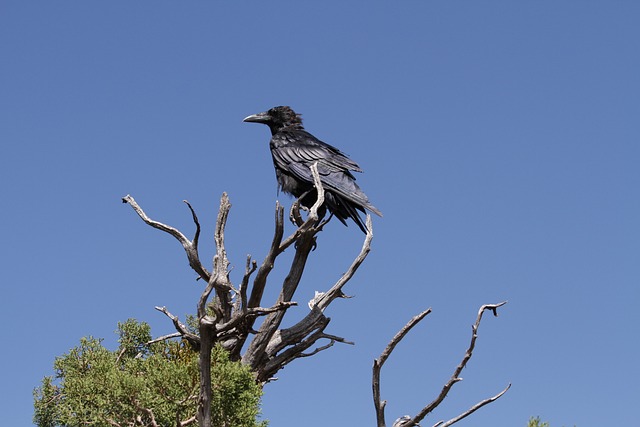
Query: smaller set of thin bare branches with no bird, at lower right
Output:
(407,420)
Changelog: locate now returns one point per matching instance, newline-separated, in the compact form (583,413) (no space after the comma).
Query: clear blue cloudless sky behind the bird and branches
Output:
(501,140)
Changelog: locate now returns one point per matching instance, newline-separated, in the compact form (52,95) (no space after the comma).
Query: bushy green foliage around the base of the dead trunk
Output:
(140,384)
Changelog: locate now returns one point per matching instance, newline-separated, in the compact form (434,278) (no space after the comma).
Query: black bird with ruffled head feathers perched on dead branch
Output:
(294,150)
